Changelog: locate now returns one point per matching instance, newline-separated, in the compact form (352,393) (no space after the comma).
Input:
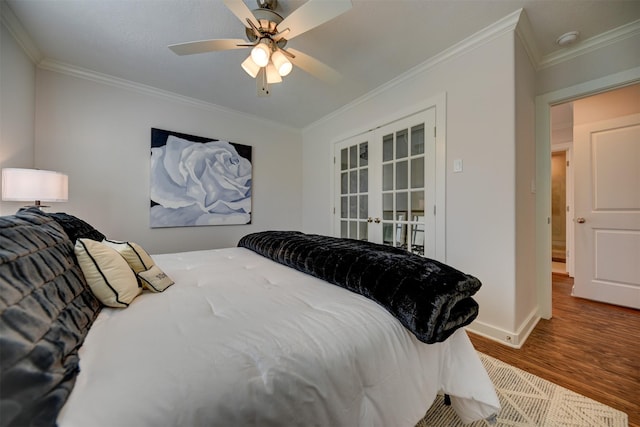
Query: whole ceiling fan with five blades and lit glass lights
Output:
(267,34)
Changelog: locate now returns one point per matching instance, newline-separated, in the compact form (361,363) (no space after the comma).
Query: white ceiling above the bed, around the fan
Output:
(371,44)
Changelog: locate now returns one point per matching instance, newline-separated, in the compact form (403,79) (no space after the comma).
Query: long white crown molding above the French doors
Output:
(497,29)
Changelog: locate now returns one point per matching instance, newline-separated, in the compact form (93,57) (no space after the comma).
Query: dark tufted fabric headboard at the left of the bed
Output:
(46,310)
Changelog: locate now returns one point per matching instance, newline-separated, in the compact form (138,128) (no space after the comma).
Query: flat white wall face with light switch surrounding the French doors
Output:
(480,202)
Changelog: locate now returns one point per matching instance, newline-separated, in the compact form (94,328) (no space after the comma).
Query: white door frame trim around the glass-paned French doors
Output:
(439,102)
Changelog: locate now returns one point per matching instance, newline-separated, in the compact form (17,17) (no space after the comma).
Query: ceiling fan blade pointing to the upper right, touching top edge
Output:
(312,14)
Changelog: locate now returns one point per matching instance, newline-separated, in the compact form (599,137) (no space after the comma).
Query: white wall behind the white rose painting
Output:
(99,134)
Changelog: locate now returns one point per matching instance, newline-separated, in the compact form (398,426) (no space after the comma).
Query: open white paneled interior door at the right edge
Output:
(607,211)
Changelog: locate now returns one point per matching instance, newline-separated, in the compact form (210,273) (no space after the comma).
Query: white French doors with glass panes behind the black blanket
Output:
(385,185)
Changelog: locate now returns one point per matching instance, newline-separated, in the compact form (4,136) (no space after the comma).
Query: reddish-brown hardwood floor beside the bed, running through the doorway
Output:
(588,347)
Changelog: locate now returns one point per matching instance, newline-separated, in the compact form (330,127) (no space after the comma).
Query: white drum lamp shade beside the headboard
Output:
(24,185)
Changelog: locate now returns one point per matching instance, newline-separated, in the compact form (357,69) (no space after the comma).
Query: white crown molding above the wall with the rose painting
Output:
(94,76)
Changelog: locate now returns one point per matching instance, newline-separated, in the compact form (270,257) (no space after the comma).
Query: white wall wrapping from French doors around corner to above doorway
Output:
(496,224)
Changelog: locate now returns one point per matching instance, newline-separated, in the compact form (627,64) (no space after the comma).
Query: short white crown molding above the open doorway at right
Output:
(607,38)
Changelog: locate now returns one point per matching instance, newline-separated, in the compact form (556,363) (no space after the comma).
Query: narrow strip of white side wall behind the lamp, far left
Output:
(17,109)
